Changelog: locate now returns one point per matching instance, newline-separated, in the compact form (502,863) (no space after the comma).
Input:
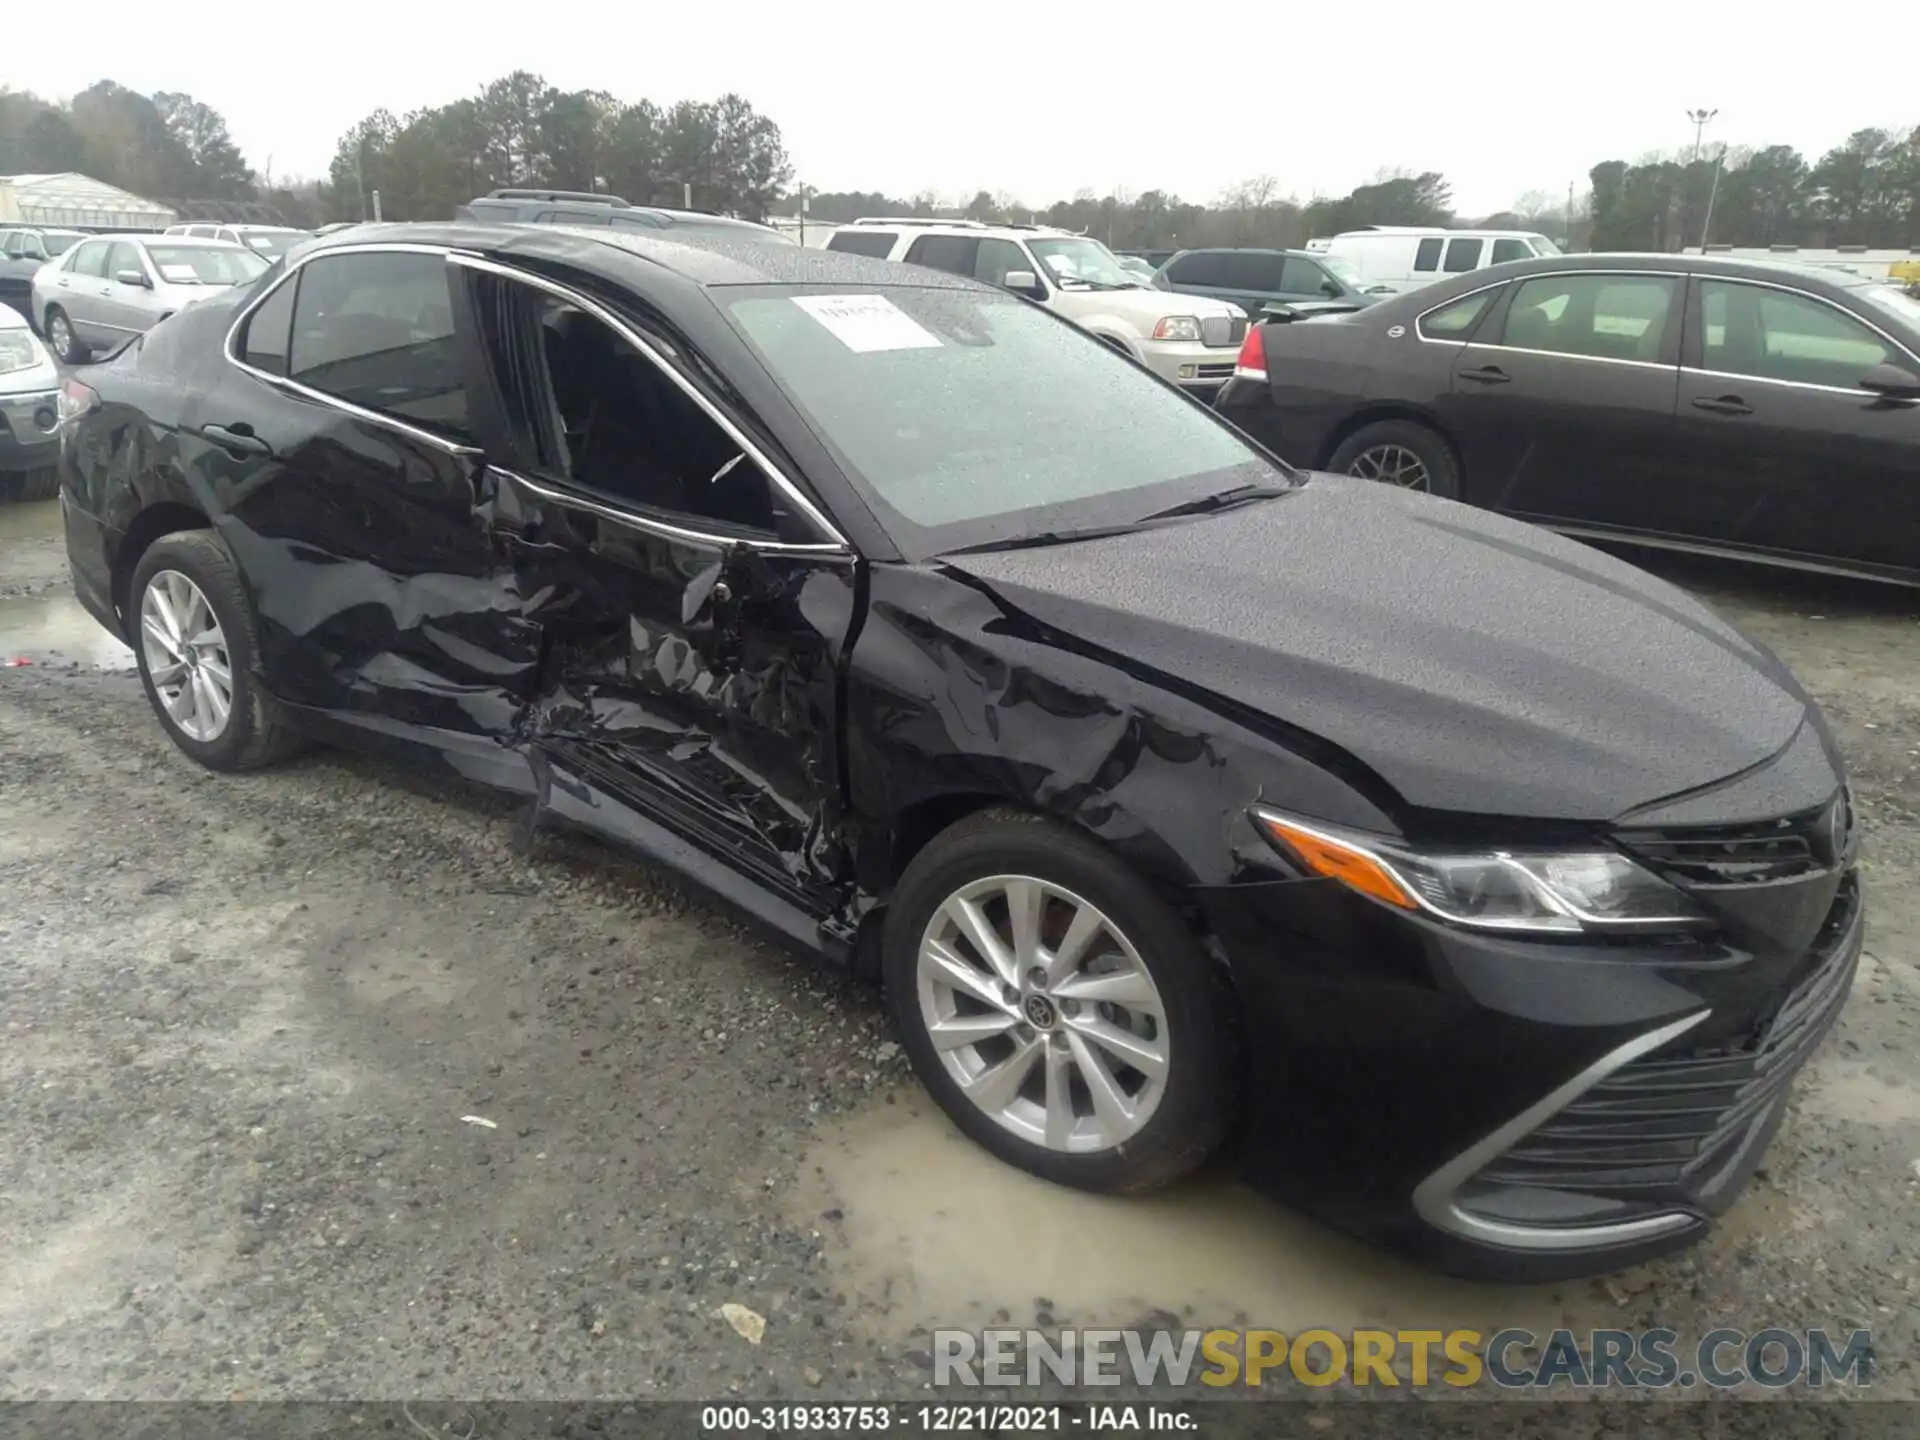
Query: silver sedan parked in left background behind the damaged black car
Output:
(110,289)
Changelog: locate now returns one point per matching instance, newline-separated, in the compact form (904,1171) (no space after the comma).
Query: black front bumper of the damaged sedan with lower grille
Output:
(1520,1111)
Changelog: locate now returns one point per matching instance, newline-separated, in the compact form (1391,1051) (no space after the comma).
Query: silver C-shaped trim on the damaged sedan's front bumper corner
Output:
(1435,1201)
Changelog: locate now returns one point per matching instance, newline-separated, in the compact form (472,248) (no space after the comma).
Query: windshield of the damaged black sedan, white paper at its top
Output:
(974,418)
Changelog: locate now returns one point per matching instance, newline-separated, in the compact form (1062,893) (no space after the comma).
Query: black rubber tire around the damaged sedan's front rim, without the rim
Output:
(1195,1107)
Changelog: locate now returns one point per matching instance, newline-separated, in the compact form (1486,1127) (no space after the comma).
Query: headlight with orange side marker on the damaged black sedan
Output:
(1543,892)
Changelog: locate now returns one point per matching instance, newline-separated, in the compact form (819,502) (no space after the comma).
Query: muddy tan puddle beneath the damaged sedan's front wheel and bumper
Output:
(923,1228)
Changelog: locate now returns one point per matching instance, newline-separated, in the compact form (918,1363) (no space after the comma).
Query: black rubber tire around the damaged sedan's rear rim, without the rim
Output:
(254,734)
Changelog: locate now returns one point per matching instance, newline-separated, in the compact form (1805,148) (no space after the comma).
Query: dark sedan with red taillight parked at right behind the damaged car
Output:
(1744,408)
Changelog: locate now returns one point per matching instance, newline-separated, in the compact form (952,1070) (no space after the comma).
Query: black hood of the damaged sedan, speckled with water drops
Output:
(1476,663)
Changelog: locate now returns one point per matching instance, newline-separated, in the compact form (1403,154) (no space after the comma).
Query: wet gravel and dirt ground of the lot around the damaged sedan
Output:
(252,1028)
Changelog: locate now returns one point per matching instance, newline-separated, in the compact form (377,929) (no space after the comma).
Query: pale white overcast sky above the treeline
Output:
(1044,101)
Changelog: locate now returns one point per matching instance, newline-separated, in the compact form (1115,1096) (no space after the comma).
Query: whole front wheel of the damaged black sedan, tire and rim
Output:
(1057,1009)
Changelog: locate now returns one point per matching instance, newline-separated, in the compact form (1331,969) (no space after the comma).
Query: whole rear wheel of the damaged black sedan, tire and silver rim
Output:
(197,650)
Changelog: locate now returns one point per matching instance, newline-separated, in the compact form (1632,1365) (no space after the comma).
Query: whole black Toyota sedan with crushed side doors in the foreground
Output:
(1479,892)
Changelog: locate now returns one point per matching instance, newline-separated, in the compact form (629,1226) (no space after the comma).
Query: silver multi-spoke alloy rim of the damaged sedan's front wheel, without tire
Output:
(1044,1013)
